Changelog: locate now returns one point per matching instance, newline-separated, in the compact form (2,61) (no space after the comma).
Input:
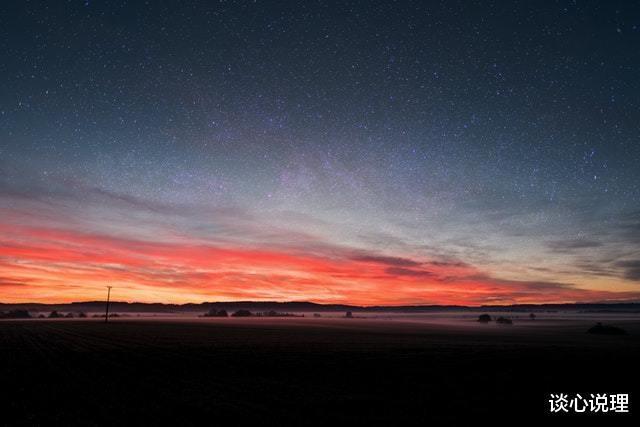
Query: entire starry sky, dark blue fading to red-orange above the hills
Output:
(364,152)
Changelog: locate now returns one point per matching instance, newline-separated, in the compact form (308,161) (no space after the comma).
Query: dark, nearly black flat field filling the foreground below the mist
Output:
(296,371)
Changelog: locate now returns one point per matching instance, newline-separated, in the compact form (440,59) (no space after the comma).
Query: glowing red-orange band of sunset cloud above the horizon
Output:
(57,265)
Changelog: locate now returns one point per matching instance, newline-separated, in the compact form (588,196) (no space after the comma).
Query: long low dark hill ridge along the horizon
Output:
(305,306)
